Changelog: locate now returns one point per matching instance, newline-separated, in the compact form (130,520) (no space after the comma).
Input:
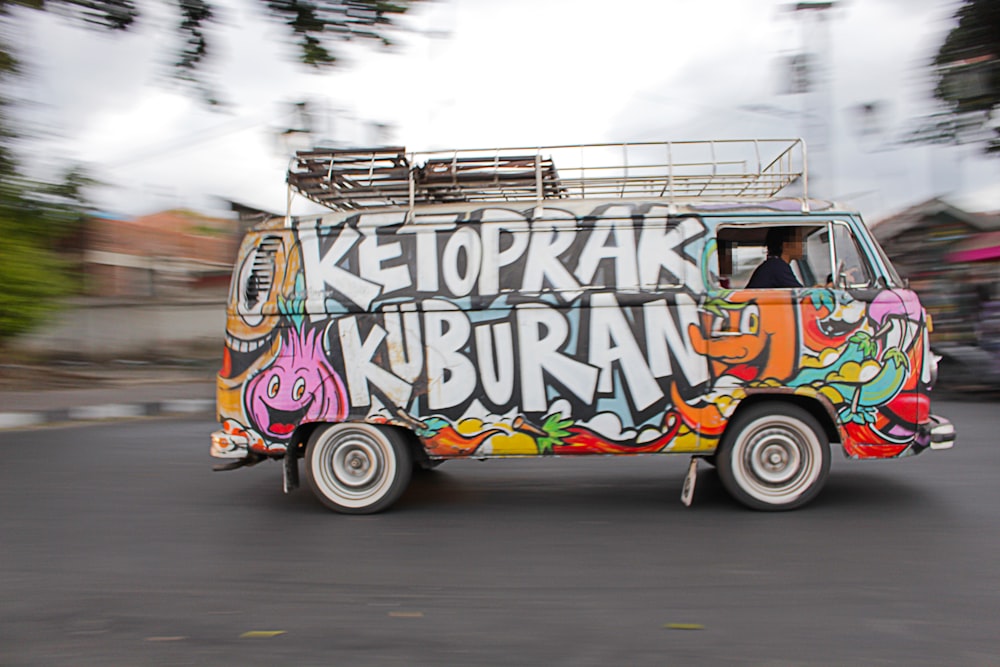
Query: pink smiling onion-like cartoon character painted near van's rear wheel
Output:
(300,386)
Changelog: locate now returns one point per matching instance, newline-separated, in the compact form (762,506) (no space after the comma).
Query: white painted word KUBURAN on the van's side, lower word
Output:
(572,353)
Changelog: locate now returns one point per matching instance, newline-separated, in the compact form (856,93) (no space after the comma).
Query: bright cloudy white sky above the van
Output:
(482,74)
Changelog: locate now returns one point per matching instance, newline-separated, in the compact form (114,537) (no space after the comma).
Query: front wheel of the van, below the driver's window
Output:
(774,456)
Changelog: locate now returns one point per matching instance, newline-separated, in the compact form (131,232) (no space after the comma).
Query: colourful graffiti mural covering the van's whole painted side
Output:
(509,332)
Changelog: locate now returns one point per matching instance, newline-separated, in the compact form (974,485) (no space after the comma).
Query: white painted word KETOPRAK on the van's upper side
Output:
(456,258)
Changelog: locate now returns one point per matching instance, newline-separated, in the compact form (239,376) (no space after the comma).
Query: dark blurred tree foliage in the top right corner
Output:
(967,71)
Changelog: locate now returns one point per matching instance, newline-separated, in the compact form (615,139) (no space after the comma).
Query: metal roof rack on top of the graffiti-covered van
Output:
(730,169)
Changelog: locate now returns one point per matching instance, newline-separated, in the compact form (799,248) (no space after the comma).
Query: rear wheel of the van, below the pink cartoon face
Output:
(358,468)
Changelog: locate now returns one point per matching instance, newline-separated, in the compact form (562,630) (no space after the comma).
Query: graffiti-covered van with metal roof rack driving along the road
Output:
(567,301)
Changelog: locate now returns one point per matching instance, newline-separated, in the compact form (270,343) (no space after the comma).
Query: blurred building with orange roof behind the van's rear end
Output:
(176,253)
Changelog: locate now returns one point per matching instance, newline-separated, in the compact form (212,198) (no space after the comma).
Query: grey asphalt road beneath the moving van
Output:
(119,546)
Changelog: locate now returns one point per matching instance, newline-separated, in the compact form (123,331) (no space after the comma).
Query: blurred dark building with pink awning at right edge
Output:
(952,259)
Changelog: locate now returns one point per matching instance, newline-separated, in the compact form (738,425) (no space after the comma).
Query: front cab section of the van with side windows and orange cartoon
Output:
(843,337)
